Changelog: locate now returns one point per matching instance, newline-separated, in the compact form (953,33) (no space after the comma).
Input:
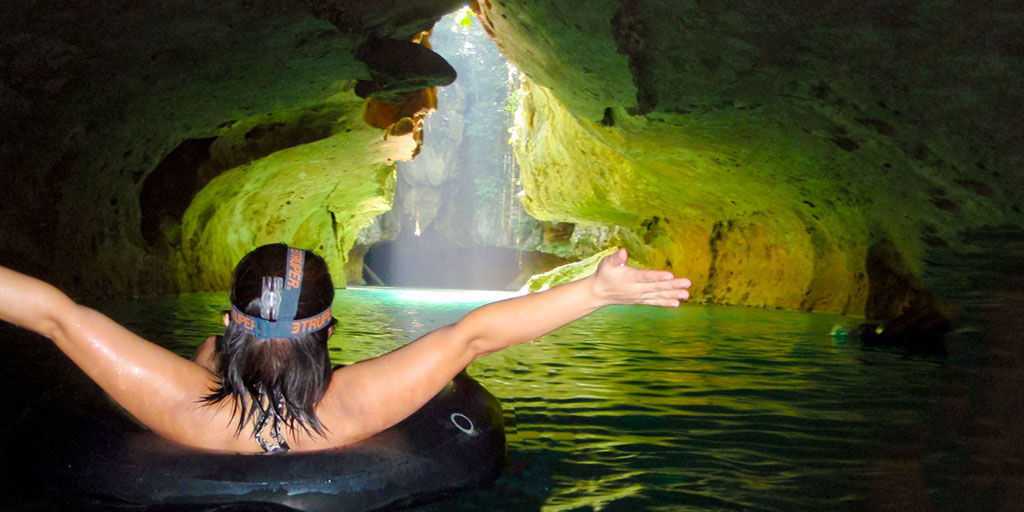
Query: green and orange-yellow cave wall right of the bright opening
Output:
(769,151)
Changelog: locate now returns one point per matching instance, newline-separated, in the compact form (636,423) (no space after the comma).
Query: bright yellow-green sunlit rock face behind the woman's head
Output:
(317,196)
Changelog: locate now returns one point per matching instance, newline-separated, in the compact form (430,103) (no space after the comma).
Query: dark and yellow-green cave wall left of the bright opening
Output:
(99,97)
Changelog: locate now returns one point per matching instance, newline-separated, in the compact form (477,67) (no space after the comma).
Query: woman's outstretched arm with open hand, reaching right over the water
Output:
(374,395)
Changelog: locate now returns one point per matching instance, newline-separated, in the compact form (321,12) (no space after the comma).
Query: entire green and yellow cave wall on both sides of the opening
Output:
(789,154)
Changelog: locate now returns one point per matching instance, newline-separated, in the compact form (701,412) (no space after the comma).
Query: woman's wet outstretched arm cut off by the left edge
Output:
(158,388)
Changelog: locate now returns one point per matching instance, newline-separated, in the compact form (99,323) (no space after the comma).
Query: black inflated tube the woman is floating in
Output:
(83,445)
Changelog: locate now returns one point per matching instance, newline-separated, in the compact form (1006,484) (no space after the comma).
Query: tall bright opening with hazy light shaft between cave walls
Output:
(457,222)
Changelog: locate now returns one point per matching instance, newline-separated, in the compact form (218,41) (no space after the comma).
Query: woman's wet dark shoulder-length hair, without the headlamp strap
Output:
(278,380)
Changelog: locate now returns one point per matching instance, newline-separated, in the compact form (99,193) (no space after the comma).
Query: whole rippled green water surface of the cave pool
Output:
(716,408)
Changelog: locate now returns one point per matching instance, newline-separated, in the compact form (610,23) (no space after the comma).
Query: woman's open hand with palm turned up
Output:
(618,283)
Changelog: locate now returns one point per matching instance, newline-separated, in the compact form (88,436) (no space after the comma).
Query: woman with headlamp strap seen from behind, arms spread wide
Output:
(267,386)
